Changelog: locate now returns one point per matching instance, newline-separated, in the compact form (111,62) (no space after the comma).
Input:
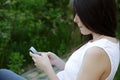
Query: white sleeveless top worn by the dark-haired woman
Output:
(74,62)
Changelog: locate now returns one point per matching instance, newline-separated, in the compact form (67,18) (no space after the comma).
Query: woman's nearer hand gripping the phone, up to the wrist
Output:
(41,61)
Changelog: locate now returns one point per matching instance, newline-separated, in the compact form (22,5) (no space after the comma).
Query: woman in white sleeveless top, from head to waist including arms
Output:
(98,58)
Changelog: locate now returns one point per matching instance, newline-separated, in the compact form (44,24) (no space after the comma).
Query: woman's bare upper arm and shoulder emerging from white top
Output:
(94,64)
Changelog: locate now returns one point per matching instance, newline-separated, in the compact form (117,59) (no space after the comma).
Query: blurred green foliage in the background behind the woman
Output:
(45,24)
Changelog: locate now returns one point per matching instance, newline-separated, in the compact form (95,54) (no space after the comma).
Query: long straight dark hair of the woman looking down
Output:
(98,16)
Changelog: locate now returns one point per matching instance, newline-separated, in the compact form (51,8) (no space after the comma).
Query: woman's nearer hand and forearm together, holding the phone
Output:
(42,62)
